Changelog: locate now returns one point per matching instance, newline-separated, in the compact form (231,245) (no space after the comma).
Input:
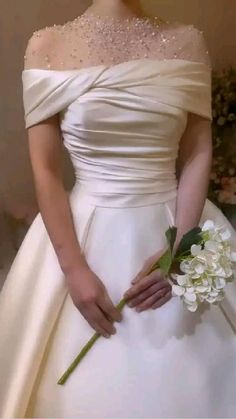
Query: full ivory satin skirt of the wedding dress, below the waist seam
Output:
(166,362)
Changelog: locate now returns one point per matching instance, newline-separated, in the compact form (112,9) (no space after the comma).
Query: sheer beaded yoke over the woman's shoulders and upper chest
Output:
(91,40)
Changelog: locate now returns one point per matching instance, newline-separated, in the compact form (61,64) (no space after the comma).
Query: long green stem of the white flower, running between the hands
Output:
(93,339)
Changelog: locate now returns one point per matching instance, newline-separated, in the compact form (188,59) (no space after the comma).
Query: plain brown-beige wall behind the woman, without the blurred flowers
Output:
(19,18)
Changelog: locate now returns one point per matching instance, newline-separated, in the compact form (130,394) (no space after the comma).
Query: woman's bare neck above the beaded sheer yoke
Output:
(116,8)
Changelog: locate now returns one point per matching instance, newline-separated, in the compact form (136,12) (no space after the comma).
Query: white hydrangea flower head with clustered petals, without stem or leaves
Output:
(207,269)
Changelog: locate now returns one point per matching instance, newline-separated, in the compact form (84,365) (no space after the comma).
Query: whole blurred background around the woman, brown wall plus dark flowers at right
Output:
(18,20)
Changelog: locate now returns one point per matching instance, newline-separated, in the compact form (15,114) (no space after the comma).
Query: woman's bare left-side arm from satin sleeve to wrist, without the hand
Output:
(45,149)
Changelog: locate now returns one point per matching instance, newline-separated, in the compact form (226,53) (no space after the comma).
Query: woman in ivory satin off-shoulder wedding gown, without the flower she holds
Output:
(130,98)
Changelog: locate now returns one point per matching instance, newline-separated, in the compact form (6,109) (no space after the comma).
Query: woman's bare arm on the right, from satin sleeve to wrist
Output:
(193,172)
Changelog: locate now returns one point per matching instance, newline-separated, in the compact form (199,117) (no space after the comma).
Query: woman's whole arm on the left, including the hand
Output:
(87,291)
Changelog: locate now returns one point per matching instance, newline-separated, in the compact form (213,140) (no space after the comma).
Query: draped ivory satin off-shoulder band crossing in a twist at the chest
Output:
(177,82)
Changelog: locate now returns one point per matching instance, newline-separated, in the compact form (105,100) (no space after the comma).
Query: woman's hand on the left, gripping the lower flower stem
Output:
(90,296)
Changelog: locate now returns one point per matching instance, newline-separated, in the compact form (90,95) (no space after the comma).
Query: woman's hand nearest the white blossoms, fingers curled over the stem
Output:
(148,291)
